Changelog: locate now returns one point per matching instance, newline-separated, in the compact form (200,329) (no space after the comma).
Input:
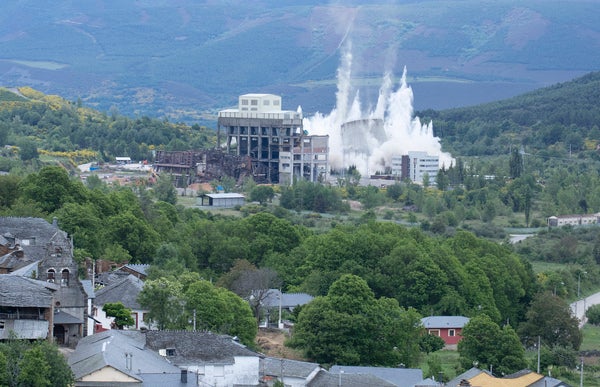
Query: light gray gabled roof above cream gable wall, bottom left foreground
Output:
(100,350)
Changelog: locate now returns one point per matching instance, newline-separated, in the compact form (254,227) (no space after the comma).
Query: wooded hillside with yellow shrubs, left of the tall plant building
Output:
(51,123)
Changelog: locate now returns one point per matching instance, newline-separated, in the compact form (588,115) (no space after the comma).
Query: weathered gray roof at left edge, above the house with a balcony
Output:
(17,291)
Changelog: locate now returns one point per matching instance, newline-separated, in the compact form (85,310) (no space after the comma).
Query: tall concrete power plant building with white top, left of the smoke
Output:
(274,140)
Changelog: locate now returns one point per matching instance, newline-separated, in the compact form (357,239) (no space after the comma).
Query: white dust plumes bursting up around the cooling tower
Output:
(371,150)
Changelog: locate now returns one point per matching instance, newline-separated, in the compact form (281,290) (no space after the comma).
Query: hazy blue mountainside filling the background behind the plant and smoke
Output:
(185,60)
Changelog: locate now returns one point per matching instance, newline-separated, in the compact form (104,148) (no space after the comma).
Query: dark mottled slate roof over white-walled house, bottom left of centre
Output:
(193,347)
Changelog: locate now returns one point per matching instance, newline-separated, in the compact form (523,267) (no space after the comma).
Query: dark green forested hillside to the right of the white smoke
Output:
(557,121)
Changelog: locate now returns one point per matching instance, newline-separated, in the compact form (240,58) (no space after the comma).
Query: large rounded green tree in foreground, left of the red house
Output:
(350,326)
